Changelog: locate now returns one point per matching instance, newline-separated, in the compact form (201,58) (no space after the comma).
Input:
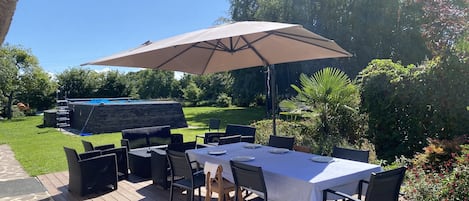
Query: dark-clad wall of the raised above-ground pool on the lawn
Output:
(114,117)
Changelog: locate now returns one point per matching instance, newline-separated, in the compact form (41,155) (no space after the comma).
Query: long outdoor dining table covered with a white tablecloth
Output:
(290,175)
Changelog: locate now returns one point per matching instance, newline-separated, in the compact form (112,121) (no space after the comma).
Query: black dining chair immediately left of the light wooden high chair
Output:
(183,175)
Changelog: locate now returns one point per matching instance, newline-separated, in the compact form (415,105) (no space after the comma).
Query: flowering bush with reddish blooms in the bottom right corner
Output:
(440,173)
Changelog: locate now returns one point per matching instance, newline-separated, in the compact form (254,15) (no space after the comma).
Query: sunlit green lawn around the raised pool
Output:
(40,150)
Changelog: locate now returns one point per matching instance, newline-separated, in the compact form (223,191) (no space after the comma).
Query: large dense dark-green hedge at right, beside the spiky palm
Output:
(406,105)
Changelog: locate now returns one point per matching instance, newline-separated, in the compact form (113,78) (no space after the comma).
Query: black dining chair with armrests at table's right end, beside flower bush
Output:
(383,186)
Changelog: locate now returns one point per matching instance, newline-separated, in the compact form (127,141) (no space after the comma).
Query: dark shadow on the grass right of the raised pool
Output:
(243,116)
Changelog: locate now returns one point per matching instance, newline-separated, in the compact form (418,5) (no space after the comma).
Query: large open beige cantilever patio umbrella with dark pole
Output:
(229,47)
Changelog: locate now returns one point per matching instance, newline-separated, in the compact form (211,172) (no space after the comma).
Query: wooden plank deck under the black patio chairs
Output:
(132,189)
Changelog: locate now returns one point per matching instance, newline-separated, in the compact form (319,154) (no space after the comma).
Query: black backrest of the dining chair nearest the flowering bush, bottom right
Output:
(385,186)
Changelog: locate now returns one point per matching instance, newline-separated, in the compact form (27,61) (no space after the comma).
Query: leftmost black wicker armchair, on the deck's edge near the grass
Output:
(91,172)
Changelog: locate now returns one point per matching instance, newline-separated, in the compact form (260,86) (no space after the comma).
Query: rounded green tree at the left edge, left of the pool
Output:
(21,77)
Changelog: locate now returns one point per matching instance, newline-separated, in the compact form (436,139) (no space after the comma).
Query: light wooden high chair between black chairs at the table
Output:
(214,182)
